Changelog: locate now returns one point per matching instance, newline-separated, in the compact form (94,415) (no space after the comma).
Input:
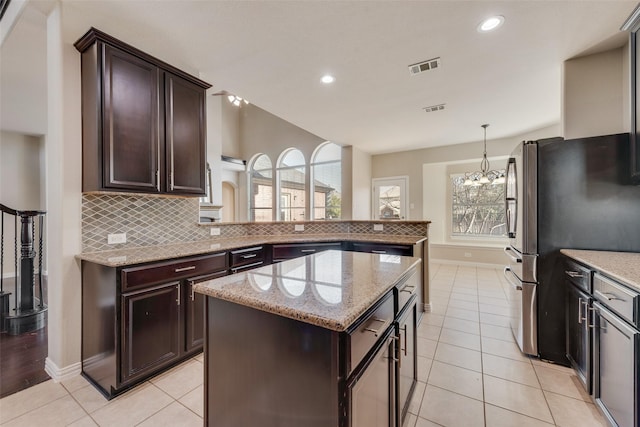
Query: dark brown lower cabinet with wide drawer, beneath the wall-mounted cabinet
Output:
(139,320)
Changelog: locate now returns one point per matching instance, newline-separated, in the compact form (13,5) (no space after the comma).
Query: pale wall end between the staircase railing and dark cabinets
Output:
(63,147)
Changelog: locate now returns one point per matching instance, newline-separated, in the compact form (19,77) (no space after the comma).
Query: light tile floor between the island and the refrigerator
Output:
(471,372)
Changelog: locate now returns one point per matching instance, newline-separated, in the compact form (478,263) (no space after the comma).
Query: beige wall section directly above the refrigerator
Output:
(595,94)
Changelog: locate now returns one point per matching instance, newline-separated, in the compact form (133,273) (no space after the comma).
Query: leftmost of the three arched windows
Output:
(261,189)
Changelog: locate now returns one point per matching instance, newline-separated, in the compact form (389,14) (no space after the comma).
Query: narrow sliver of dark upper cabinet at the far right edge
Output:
(632,24)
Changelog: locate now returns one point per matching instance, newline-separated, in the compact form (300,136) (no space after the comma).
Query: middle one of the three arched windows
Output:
(292,194)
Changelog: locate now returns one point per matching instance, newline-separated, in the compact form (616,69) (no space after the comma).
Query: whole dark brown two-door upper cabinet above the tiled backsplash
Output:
(143,121)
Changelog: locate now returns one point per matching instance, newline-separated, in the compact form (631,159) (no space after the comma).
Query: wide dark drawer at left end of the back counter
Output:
(137,277)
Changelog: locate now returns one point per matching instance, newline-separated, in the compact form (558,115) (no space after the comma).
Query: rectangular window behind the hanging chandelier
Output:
(477,210)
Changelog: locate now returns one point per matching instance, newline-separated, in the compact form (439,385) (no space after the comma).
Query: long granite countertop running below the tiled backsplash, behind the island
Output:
(131,256)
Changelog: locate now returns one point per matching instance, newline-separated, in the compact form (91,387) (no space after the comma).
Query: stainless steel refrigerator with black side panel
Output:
(562,194)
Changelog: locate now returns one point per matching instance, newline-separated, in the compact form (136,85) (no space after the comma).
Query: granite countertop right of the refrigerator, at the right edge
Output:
(622,266)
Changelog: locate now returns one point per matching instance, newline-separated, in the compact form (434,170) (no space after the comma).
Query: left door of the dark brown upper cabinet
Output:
(131,125)
